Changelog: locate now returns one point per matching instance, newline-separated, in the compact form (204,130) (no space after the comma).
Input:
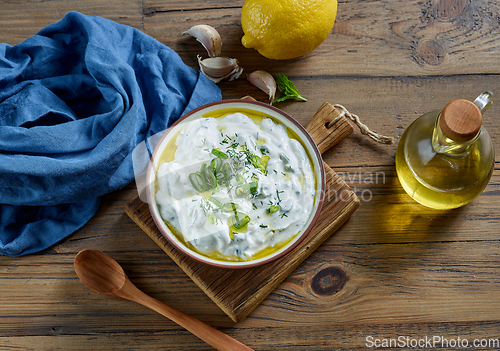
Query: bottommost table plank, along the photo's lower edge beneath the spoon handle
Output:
(293,338)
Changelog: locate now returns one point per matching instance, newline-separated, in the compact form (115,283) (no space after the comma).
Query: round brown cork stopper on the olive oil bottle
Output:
(460,120)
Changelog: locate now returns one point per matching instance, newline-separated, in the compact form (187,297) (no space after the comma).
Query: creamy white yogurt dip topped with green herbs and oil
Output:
(236,188)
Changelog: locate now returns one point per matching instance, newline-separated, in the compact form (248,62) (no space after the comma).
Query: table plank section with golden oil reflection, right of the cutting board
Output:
(394,217)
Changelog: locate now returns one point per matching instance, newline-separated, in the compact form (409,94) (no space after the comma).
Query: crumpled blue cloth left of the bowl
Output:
(75,100)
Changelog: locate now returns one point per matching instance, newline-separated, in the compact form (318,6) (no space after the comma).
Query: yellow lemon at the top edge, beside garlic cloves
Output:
(285,29)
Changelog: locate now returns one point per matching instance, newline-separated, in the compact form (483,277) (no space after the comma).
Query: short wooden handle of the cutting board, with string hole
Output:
(324,133)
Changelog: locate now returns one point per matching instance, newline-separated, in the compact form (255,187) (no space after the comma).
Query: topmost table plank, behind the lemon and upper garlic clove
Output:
(373,38)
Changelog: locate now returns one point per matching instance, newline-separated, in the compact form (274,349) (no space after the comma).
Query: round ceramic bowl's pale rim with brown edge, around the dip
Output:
(260,108)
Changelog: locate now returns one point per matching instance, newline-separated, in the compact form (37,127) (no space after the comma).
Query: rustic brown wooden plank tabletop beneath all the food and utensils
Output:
(394,270)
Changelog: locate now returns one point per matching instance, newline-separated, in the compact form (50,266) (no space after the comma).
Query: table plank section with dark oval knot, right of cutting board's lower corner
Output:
(411,282)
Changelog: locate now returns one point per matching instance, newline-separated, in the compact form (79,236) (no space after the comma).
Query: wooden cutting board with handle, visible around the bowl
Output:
(239,292)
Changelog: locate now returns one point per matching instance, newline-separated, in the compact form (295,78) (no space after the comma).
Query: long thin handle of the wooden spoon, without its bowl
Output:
(211,336)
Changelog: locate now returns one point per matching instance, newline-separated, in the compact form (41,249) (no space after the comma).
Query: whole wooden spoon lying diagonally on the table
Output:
(104,275)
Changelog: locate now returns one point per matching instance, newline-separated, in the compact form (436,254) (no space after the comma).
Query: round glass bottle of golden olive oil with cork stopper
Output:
(445,158)
